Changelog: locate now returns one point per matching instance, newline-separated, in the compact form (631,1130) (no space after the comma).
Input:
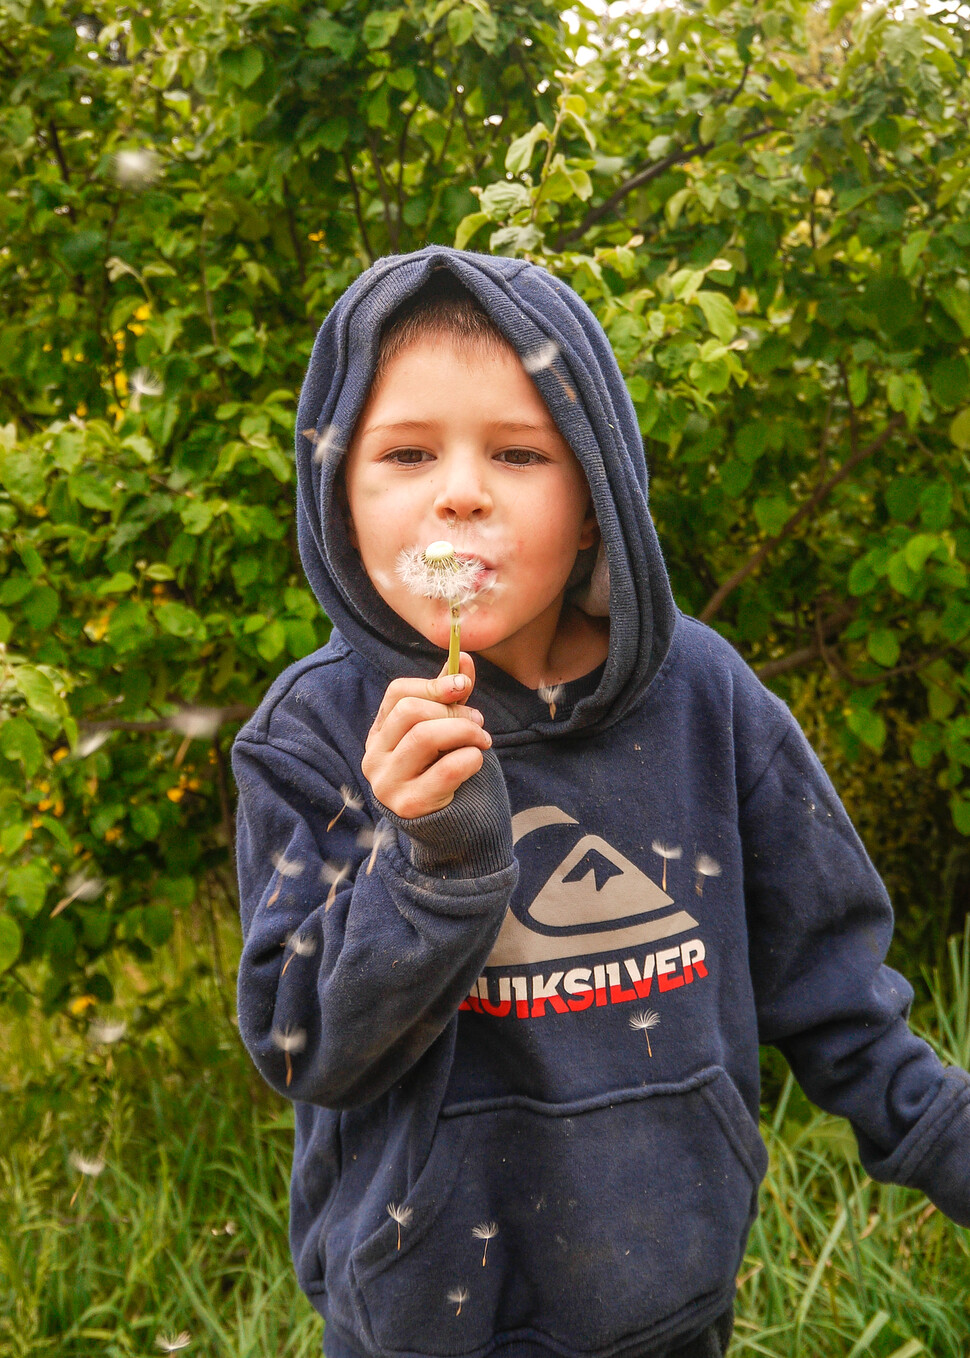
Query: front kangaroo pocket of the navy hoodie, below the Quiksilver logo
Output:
(592,1224)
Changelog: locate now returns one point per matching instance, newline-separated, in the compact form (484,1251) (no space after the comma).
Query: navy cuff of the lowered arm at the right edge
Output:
(935,1154)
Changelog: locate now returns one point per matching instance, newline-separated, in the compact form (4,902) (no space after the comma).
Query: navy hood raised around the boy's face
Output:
(588,399)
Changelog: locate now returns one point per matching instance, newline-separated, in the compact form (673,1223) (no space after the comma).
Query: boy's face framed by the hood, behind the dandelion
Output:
(459,445)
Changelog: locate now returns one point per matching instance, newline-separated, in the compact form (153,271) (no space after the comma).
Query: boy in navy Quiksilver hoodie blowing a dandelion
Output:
(513,961)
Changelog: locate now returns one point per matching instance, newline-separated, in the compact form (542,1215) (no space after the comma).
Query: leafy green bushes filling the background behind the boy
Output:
(766,204)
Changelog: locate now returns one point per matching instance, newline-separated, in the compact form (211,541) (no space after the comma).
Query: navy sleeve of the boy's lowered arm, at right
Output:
(820,927)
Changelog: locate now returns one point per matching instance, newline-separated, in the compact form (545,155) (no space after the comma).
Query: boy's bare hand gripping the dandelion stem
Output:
(425,742)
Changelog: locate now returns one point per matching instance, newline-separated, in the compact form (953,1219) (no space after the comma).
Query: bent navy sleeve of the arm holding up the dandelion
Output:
(355,958)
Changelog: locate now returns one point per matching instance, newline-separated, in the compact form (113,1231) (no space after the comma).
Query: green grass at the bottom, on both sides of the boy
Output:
(195,1143)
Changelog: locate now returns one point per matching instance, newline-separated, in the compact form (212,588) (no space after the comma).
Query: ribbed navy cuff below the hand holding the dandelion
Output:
(472,837)
